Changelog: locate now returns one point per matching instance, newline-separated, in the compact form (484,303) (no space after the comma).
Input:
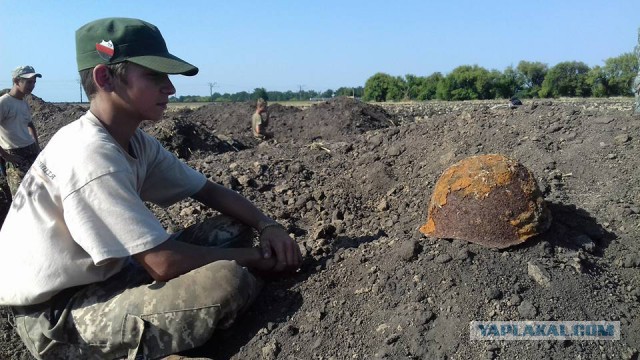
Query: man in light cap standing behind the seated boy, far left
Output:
(18,137)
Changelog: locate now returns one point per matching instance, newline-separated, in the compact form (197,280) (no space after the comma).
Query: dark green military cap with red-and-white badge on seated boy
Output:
(114,40)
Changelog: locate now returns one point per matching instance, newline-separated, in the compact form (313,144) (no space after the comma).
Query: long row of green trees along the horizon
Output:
(473,82)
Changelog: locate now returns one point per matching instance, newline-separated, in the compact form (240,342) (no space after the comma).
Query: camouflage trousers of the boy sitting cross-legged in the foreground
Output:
(131,316)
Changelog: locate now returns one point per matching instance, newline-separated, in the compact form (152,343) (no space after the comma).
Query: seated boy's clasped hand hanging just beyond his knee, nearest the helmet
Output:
(277,244)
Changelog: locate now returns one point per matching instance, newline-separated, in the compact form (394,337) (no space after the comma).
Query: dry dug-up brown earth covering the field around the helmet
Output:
(352,181)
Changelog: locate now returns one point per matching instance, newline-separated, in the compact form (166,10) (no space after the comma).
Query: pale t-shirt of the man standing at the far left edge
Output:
(14,118)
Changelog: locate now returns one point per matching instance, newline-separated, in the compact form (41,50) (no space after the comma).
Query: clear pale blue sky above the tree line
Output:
(320,45)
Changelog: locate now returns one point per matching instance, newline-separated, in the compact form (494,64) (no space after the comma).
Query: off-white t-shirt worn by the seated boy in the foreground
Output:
(79,213)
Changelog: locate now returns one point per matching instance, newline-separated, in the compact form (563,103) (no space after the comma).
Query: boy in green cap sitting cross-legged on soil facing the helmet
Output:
(88,269)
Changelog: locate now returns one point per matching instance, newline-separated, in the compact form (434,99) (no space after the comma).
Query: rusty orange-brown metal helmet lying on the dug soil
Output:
(488,199)
